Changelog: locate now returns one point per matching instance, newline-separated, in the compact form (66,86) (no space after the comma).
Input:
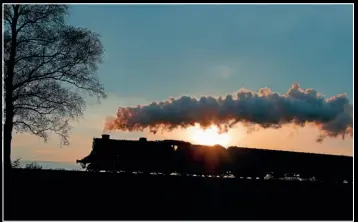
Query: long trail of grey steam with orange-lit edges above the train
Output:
(333,116)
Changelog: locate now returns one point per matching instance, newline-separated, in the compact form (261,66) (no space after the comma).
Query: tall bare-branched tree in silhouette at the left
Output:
(49,67)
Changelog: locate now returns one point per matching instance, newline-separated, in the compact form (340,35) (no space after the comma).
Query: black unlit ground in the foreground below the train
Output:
(71,195)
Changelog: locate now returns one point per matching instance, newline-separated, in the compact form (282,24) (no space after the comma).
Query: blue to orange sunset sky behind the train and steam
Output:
(154,52)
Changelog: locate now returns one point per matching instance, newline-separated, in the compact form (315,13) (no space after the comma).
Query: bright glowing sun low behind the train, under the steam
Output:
(209,136)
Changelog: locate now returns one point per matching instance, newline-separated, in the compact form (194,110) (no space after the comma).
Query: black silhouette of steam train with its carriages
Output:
(184,158)
